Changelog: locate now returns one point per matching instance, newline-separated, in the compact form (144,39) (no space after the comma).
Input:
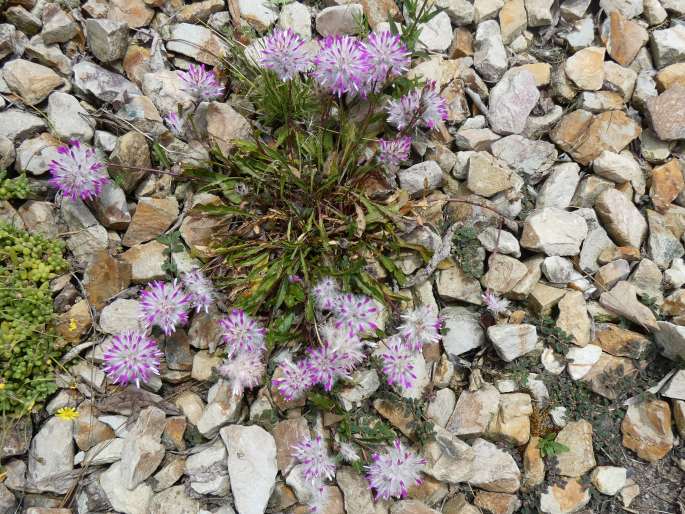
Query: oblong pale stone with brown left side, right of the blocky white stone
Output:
(621,219)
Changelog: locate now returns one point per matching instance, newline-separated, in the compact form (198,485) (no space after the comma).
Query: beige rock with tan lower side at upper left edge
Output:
(33,82)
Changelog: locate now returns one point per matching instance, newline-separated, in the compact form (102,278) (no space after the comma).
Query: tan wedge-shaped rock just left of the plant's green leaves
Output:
(152,217)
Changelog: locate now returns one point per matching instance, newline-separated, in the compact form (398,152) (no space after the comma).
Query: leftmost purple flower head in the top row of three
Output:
(286,54)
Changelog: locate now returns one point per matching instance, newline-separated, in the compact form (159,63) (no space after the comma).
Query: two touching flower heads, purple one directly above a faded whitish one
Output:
(245,341)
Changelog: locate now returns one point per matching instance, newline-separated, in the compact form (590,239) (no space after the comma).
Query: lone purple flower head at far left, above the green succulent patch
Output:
(77,172)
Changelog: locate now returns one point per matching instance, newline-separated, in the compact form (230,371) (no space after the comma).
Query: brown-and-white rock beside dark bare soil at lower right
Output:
(647,430)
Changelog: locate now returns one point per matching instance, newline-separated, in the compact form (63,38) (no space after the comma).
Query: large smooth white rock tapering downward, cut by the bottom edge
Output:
(251,466)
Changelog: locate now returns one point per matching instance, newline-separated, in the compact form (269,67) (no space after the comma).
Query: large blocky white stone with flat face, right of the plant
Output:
(554,232)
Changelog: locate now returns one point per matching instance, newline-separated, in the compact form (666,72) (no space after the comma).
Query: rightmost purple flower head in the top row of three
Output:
(385,54)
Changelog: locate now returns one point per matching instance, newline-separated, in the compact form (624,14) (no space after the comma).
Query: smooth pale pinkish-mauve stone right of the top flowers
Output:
(511,101)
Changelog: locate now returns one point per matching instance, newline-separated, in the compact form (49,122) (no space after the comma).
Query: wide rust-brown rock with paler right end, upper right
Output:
(585,136)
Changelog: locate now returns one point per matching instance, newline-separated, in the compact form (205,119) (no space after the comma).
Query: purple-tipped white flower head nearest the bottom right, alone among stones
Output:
(393,471)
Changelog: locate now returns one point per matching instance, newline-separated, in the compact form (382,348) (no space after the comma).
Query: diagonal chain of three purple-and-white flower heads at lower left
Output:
(133,356)
